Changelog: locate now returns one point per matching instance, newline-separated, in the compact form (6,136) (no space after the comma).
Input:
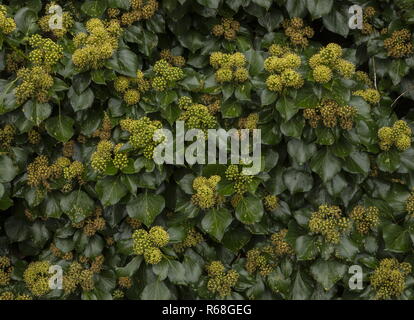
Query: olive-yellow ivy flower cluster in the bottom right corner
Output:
(388,279)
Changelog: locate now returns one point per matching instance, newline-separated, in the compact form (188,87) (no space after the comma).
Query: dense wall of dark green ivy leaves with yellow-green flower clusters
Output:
(79,187)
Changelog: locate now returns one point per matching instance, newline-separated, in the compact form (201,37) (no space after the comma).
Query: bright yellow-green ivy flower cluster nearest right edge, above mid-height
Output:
(398,135)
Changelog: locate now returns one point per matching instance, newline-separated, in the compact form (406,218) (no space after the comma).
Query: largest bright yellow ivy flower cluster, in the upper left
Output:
(96,46)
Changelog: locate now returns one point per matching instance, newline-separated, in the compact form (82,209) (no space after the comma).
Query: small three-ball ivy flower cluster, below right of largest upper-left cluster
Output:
(132,88)
